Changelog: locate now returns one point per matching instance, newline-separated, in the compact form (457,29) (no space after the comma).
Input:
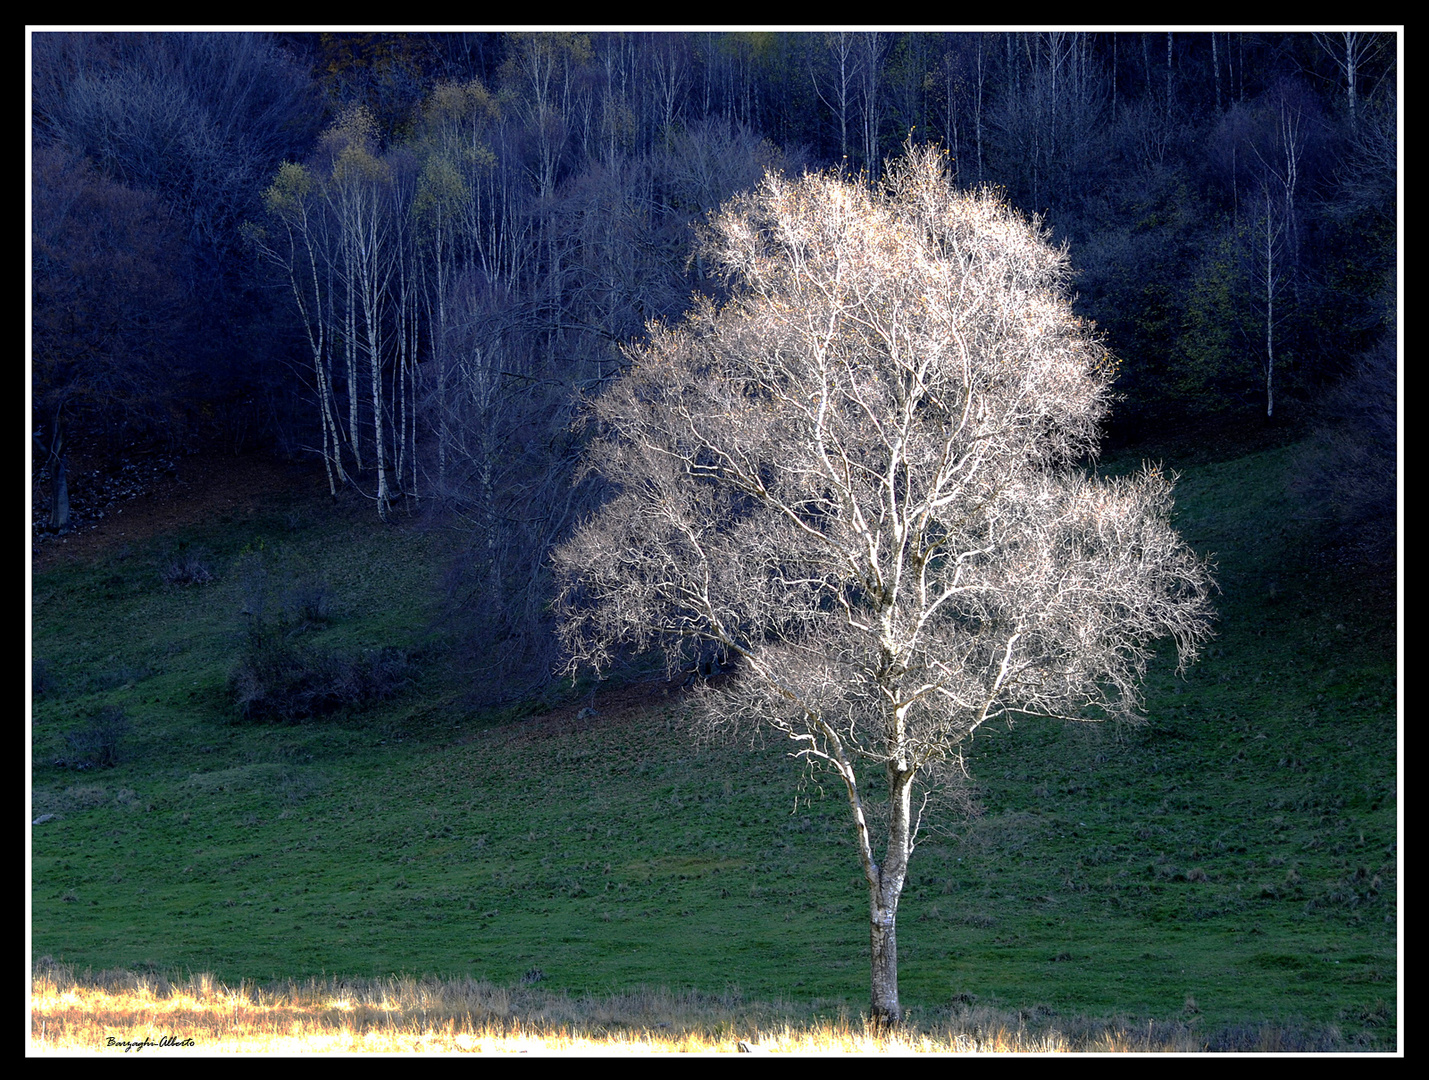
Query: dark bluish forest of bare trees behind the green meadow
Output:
(408,258)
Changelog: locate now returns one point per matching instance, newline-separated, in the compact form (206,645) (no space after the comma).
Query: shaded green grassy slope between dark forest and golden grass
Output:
(1231,864)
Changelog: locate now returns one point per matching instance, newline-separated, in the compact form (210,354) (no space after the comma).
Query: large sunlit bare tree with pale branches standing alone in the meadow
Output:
(855,481)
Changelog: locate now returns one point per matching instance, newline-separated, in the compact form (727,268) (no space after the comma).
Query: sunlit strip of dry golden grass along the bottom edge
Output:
(125,1012)
